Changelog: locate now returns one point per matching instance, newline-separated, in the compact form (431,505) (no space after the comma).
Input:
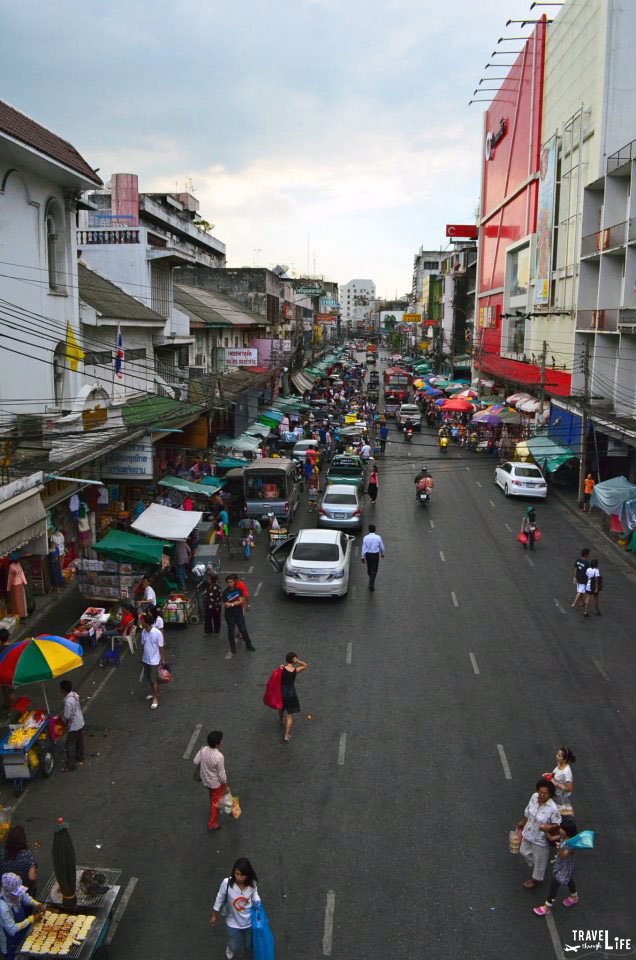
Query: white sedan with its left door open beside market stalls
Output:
(314,563)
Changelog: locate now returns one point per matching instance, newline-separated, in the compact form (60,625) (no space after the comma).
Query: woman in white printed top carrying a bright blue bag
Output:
(237,896)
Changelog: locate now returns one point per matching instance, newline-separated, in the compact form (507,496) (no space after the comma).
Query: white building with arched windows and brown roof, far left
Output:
(41,180)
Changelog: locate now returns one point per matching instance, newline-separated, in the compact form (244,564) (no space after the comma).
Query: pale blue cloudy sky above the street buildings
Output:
(333,136)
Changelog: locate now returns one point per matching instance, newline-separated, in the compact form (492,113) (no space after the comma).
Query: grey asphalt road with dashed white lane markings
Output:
(435,703)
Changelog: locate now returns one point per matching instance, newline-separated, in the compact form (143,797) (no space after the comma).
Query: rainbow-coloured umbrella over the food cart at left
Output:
(38,658)
